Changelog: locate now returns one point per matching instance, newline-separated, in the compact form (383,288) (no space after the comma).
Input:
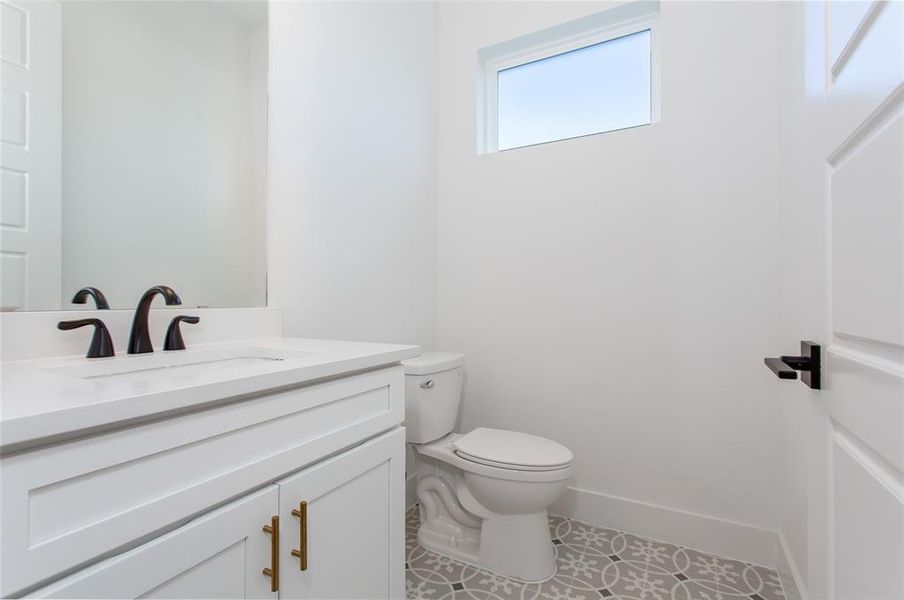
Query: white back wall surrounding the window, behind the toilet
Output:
(619,292)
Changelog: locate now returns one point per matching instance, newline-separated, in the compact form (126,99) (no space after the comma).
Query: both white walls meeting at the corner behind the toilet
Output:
(616,292)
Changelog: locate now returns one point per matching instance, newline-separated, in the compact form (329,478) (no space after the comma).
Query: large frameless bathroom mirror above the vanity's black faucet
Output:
(152,168)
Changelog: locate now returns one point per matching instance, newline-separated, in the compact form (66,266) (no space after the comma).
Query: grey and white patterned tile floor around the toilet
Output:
(593,563)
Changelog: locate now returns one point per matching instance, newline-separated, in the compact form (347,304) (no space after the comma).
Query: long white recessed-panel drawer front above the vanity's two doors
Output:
(64,506)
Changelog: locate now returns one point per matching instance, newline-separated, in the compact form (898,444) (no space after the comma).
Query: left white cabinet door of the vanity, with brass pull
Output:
(219,555)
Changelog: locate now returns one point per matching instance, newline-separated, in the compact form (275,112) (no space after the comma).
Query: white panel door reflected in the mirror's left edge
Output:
(30,78)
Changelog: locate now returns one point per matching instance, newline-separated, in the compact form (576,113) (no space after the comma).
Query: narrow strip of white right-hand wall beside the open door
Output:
(802,286)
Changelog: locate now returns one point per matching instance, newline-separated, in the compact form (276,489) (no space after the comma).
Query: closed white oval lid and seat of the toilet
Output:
(512,449)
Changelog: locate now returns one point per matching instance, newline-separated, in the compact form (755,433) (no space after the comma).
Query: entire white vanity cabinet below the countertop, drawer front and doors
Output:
(175,508)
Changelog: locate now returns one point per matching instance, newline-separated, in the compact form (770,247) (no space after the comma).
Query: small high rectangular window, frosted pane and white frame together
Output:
(590,76)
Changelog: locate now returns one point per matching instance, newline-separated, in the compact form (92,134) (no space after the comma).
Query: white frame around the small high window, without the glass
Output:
(609,25)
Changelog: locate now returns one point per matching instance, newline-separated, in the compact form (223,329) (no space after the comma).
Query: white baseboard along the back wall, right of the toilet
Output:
(714,535)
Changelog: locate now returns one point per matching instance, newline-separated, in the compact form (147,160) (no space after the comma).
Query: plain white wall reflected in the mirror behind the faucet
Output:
(159,154)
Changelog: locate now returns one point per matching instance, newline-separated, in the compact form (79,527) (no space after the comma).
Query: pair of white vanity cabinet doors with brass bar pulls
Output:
(351,536)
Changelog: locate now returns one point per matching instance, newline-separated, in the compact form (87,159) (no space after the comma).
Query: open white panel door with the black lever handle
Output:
(855,90)
